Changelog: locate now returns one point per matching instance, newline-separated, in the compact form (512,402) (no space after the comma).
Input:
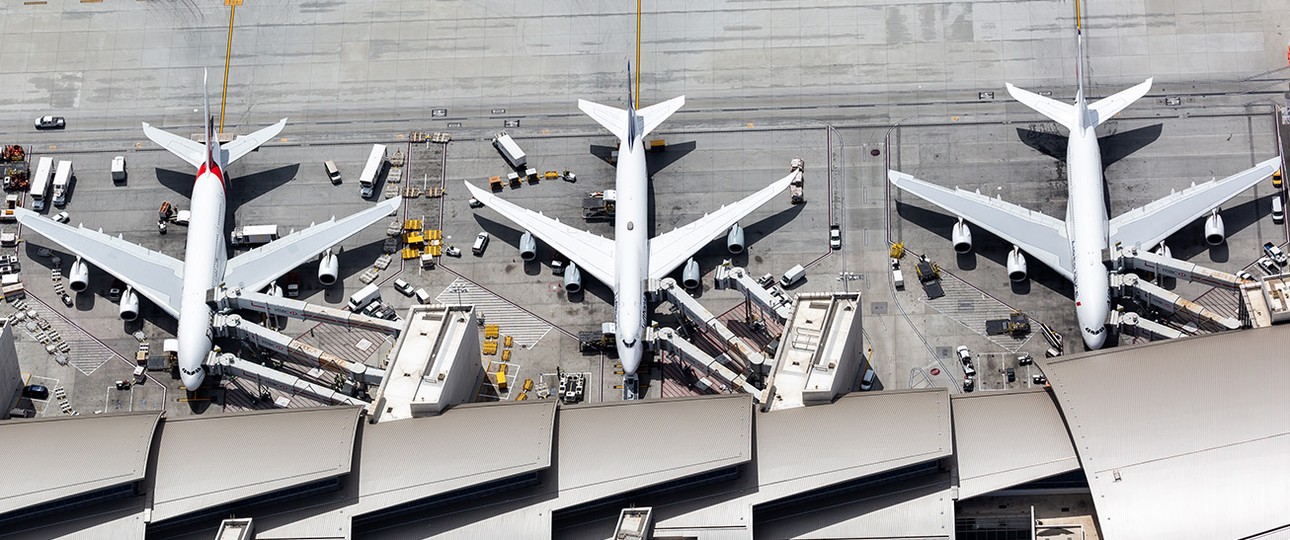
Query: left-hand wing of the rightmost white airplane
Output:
(1039,235)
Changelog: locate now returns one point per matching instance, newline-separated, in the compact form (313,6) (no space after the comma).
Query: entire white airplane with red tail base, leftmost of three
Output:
(180,287)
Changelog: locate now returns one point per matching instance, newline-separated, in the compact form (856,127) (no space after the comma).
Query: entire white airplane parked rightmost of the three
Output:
(1074,248)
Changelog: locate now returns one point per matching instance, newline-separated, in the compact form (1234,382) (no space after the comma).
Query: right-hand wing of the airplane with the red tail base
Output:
(261,266)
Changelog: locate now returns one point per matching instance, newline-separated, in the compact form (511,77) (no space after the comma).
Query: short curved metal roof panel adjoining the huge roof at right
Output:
(1008,439)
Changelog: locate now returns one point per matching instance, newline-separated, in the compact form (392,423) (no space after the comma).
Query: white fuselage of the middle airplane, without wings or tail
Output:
(631,253)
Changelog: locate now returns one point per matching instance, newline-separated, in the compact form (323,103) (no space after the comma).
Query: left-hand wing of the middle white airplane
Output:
(593,253)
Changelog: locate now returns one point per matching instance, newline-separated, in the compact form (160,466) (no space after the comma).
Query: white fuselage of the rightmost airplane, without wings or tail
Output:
(1087,227)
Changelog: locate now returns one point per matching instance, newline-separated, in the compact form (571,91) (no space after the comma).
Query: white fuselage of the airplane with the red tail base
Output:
(203,267)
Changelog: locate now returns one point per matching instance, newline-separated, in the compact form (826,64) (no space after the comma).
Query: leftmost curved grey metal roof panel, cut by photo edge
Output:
(74,456)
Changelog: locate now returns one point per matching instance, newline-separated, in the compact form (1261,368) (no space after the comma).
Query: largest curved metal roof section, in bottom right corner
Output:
(1184,439)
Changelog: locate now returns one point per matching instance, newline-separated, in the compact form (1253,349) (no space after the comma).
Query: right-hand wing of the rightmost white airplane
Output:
(1147,226)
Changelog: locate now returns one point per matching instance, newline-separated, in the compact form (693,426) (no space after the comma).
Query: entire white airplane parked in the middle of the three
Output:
(630,260)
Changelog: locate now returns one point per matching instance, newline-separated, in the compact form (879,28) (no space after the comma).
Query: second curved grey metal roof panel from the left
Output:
(212,461)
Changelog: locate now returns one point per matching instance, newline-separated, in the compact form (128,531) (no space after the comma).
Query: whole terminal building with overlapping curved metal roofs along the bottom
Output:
(1162,450)
